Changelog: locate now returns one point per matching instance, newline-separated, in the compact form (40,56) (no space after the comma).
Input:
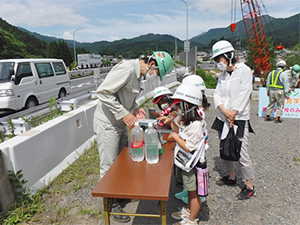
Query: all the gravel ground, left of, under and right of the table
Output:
(275,154)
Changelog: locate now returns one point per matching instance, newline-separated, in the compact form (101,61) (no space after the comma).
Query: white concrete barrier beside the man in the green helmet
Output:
(43,152)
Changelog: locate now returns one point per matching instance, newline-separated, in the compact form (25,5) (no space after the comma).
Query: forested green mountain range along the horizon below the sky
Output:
(18,42)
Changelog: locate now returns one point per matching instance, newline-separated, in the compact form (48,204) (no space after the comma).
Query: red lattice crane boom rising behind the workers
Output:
(256,36)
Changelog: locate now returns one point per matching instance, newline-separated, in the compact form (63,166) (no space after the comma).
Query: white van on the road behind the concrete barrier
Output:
(25,83)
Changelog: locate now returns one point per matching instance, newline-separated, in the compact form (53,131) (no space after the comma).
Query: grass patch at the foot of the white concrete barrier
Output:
(72,179)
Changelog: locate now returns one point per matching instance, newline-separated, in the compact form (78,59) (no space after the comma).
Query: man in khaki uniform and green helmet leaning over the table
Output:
(117,108)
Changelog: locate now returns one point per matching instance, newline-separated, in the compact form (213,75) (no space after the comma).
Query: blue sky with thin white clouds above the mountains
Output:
(117,19)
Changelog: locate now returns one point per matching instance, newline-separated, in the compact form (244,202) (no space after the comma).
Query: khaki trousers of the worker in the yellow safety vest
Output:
(276,96)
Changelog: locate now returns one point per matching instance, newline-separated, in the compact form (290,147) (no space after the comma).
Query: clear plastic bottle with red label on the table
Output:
(137,143)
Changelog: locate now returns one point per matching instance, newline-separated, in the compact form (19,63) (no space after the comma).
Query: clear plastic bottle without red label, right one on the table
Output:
(151,145)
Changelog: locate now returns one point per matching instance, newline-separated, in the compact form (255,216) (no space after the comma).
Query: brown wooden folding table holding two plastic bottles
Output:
(127,179)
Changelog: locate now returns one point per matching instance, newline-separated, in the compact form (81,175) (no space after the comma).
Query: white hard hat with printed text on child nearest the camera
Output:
(188,93)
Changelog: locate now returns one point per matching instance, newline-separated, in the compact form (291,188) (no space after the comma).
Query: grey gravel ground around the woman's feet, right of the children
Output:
(274,150)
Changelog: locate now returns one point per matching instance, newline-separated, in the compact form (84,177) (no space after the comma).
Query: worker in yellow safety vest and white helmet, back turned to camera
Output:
(277,90)
